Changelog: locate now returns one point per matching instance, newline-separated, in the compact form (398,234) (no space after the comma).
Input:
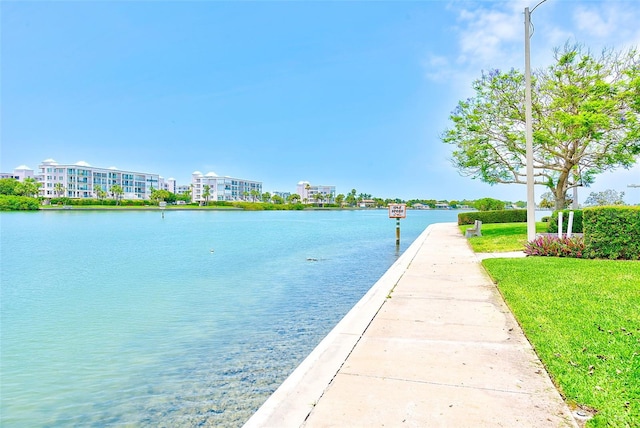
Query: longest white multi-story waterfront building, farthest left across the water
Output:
(81,180)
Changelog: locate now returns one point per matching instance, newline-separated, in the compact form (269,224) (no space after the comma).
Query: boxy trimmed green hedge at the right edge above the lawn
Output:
(612,232)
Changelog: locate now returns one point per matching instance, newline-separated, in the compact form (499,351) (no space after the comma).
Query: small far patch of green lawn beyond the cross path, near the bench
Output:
(501,237)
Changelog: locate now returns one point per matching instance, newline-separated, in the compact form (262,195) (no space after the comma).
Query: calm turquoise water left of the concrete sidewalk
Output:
(126,318)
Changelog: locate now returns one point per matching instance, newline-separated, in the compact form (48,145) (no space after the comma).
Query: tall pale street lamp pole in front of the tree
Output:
(531,213)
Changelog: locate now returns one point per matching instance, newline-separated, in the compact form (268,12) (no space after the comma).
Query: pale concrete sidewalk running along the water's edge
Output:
(442,350)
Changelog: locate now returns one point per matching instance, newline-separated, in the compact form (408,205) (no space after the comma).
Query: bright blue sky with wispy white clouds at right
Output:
(352,94)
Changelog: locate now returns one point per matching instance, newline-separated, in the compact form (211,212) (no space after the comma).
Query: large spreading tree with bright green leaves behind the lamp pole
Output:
(586,120)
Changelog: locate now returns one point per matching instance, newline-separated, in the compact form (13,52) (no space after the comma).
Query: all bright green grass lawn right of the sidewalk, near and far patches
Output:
(582,318)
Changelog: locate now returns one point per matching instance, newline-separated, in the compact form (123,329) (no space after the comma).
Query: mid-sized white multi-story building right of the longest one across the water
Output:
(223,188)
